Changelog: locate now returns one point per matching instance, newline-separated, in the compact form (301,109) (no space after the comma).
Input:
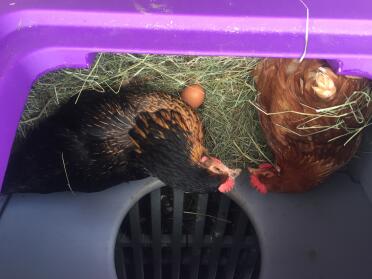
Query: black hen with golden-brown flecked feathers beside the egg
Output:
(108,138)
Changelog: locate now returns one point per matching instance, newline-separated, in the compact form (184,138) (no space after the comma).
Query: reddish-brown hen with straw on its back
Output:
(308,144)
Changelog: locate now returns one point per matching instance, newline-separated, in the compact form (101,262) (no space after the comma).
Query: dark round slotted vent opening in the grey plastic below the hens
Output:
(169,234)
